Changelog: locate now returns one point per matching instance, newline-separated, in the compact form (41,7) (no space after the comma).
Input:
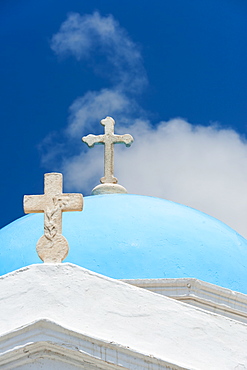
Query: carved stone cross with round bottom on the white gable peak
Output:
(52,246)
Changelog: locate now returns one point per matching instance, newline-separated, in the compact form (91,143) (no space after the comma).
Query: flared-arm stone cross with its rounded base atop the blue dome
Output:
(108,181)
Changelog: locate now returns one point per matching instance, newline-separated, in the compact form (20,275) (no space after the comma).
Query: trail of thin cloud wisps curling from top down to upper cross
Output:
(109,49)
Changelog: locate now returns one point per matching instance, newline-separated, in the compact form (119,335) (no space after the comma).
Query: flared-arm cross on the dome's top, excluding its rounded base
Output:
(108,139)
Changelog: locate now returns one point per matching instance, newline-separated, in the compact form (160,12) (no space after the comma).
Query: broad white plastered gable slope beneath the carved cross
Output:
(118,313)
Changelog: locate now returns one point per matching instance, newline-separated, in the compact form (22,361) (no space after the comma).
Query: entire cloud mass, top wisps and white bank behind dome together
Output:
(202,167)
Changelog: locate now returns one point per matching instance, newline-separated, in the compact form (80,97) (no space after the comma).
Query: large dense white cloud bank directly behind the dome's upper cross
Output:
(202,167)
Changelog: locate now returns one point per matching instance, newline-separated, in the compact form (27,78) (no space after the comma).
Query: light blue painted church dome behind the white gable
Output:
(132,236)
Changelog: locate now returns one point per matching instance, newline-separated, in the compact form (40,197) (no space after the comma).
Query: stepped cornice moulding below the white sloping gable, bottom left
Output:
(44,341)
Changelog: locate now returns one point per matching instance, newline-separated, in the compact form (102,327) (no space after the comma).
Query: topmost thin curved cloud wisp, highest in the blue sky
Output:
(118,57)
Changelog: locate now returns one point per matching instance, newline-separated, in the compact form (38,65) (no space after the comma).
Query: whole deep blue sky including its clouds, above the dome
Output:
(173,74)
